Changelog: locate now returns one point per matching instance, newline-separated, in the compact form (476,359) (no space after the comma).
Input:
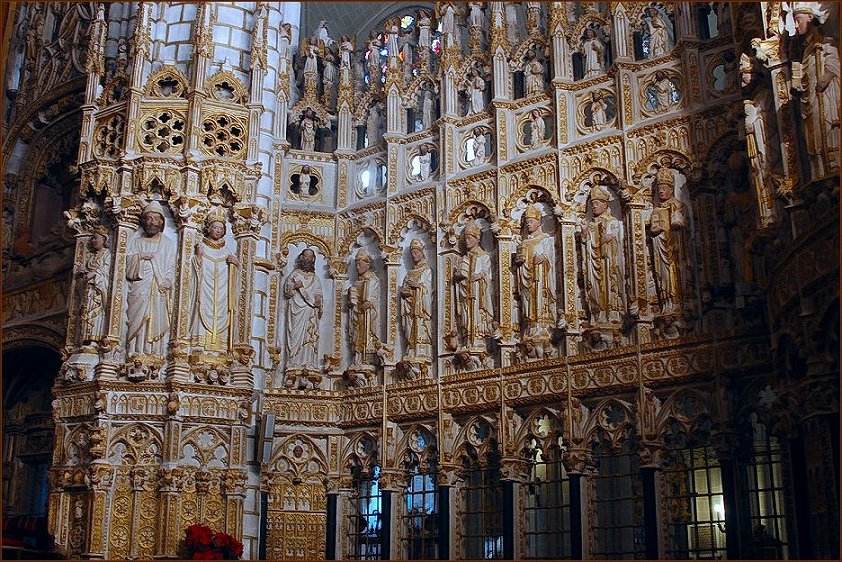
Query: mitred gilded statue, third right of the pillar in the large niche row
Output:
(417,304)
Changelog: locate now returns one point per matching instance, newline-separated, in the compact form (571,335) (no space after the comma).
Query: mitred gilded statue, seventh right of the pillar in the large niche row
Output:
(667,229)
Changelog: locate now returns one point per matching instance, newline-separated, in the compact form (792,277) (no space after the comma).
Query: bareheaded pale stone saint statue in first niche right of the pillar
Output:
(303,291)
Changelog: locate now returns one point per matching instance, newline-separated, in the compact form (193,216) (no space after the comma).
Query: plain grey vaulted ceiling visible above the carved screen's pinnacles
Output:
(352,17)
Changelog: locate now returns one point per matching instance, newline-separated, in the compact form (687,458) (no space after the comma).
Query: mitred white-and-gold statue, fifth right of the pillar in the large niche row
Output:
(535,275)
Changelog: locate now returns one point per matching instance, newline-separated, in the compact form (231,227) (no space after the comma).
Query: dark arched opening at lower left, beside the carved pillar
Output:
(28,438)
